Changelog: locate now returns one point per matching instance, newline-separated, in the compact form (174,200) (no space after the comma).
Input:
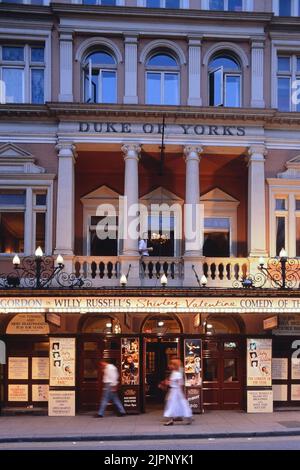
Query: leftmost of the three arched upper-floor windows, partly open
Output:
(100,78)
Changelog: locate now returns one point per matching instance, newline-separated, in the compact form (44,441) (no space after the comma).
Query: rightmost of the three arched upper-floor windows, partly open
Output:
(225,81)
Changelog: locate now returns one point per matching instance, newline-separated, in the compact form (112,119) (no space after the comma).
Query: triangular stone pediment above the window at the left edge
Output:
(15,160)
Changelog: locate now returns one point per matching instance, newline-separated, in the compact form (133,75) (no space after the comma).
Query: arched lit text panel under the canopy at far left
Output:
(28,324)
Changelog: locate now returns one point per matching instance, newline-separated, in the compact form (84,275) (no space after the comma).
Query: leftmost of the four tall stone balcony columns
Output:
(65,212)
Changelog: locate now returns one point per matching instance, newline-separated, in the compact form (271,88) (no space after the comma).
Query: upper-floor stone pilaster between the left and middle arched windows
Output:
(131,70)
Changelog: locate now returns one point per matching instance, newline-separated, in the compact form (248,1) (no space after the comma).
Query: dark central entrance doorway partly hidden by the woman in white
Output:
(158,355)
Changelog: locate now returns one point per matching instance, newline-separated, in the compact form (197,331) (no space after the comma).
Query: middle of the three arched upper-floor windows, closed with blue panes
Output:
(162,79)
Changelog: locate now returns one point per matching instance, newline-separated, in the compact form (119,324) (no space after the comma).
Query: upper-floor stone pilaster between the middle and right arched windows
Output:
(194,98)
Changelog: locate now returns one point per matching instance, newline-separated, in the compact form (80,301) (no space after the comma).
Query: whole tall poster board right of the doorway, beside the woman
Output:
(193,373)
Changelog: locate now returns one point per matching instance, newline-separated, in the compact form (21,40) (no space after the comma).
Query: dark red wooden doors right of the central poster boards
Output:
(223,360)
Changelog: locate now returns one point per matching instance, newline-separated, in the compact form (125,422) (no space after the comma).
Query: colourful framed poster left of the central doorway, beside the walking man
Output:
(130,367)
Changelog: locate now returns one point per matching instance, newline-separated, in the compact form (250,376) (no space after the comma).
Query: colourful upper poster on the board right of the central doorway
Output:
(192,363)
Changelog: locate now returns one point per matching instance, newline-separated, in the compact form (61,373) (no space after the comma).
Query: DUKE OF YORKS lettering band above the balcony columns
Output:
(150,128)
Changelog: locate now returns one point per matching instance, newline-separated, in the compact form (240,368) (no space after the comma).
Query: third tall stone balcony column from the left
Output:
(192,212)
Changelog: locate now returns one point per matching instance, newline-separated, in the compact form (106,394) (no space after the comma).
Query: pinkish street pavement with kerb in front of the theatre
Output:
(85,427)
